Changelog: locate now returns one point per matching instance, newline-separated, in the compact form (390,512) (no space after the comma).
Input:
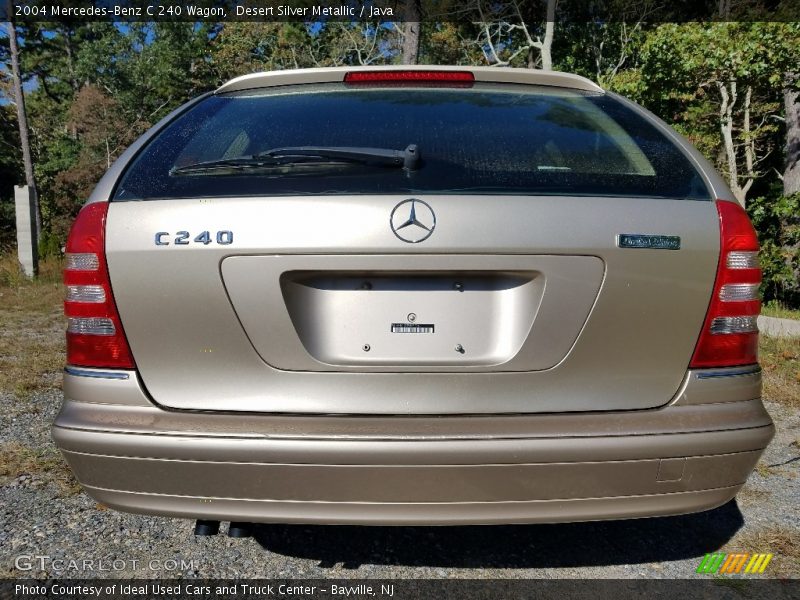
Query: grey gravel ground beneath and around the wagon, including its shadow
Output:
(39,516)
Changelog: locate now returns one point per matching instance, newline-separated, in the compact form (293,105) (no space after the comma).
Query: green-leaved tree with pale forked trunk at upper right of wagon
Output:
(718,77)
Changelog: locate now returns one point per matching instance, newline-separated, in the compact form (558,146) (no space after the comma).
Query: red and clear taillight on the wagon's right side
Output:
(730,332)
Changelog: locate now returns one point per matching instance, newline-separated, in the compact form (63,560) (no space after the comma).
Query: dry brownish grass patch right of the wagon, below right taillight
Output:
(780,360)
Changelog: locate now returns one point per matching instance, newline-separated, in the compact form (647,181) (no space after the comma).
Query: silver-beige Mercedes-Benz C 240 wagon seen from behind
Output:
(432,295)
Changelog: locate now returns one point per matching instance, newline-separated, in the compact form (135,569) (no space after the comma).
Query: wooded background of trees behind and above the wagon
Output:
(91,88)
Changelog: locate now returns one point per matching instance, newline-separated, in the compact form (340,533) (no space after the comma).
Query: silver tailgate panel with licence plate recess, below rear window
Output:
(316,306)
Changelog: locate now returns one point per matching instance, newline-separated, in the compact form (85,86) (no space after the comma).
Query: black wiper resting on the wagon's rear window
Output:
(308,156)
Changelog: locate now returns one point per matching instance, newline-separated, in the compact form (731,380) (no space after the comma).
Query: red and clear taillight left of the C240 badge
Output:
(94,332)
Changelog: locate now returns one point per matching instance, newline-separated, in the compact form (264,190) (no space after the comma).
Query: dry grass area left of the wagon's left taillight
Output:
(31,328)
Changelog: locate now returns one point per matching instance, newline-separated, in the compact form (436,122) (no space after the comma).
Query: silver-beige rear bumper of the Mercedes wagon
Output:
(685,457)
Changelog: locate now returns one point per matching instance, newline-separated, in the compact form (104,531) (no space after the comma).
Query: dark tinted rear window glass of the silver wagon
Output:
(503,139)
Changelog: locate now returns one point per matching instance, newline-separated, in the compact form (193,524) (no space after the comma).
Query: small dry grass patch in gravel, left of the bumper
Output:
(46,464)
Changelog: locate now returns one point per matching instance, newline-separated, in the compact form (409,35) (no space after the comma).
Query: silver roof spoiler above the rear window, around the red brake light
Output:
(337,74)
